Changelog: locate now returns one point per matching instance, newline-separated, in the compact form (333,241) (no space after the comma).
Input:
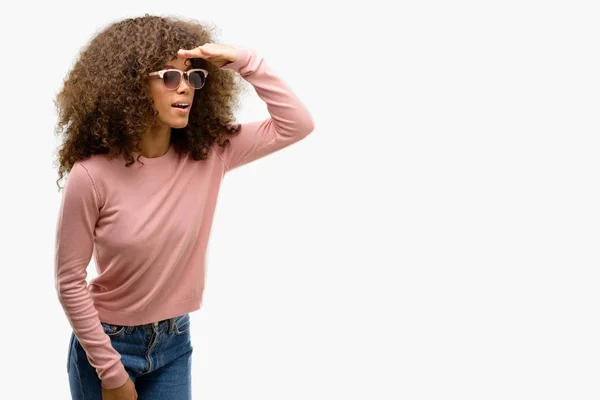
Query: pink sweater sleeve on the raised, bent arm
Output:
(289,119)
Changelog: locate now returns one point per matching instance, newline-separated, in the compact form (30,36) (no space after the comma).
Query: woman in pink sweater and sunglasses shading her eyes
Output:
(148,138)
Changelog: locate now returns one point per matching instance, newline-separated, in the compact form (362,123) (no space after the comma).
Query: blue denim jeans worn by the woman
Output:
(157,356)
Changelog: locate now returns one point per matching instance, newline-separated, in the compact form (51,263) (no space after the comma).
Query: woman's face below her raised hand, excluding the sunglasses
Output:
(170,116)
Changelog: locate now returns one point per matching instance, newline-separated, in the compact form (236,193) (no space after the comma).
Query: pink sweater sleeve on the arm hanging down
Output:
(77,218)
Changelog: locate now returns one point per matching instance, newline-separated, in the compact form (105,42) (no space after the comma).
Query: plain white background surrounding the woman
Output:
(435,237)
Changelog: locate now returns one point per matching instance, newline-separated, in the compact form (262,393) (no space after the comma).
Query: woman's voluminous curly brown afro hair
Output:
(104,106)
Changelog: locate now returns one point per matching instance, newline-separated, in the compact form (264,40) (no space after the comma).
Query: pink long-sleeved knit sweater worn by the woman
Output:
(148,226)
